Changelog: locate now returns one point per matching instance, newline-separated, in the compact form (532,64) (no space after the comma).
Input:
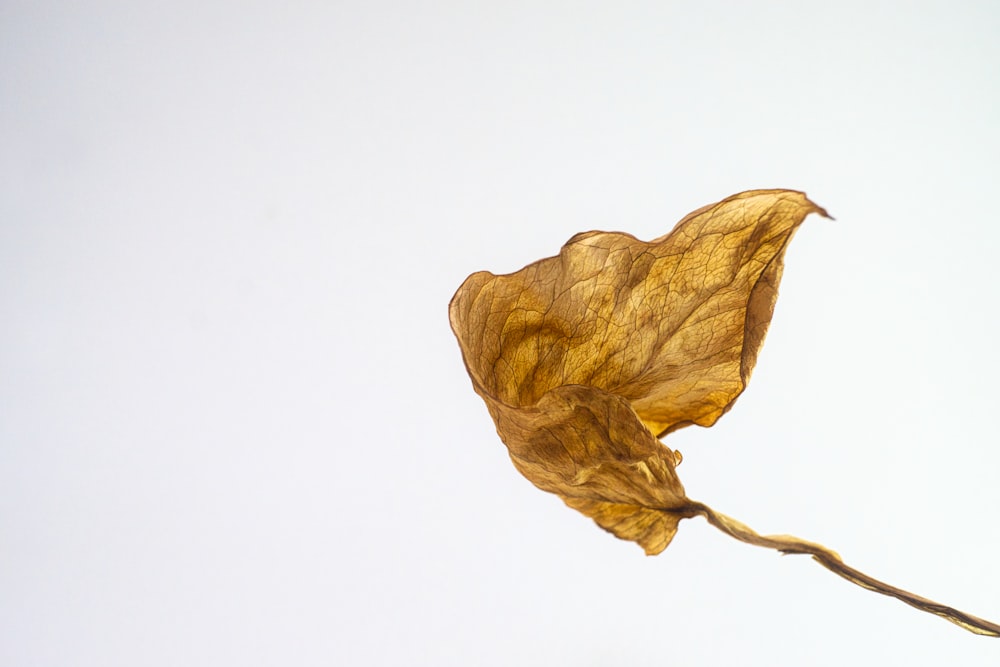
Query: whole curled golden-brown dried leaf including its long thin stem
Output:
(585,359)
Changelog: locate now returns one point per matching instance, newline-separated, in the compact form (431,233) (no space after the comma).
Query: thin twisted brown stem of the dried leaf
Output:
(831,561)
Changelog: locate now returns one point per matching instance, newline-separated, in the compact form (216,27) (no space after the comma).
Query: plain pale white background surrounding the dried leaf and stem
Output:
(235,428)
